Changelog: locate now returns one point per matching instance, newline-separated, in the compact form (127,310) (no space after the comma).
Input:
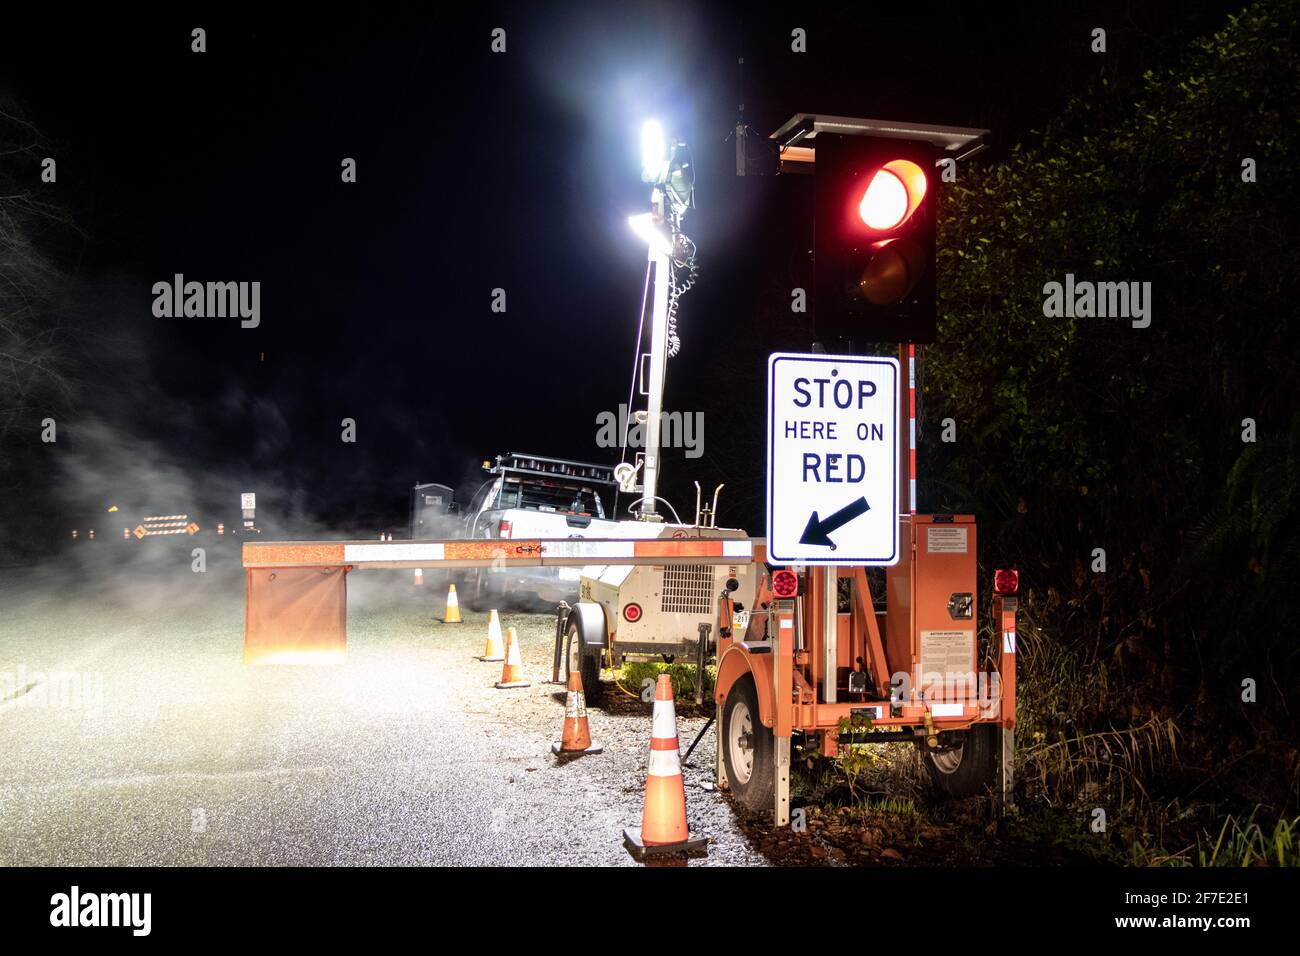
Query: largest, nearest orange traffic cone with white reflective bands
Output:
(664,817)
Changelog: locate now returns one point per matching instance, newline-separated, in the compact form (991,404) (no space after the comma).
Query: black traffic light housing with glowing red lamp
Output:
(874,240)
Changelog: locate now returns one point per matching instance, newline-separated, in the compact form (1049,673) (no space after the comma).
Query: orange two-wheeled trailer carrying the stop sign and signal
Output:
(826,663)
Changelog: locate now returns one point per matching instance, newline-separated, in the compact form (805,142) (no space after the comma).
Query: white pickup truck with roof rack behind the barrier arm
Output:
(531,496)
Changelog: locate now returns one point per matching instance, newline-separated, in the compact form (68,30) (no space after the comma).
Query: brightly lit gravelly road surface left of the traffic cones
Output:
(159,747)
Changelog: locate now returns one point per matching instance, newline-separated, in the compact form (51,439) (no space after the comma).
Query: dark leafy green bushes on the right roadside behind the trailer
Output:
(1085,434)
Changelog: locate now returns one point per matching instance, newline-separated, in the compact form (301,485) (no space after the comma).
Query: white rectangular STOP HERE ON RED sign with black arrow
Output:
(833,460)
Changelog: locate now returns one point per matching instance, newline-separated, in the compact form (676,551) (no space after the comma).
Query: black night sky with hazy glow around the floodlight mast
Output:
(475,172)
